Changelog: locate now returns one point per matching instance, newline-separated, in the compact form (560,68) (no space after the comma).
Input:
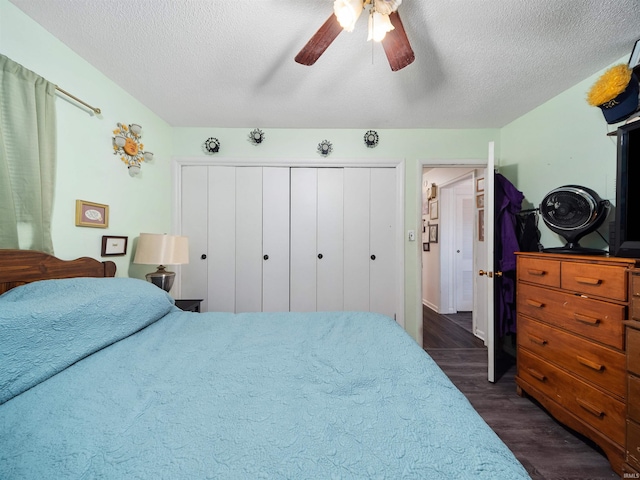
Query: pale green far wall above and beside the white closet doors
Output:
(414,147)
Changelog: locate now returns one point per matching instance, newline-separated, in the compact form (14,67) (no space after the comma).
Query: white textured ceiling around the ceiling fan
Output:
(214,63)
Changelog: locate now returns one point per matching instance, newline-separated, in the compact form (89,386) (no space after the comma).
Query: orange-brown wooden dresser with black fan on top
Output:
(571,347)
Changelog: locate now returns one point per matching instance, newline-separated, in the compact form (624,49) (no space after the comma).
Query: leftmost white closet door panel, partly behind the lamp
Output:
(193,276)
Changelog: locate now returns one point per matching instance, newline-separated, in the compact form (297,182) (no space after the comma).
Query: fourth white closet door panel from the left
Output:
(275,239)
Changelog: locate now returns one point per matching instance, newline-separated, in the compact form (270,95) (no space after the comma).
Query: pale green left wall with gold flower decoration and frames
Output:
(87,168)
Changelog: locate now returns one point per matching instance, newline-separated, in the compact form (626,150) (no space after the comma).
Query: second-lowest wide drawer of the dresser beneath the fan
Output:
(600,365)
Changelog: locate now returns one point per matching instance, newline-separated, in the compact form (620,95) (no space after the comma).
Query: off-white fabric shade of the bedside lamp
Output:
(162,249)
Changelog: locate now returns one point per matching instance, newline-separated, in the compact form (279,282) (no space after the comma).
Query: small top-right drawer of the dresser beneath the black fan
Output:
(591,279)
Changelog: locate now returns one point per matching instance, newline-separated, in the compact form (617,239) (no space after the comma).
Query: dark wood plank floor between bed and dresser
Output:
(546,449)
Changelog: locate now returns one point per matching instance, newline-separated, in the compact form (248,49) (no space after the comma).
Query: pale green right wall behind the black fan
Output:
(562,142)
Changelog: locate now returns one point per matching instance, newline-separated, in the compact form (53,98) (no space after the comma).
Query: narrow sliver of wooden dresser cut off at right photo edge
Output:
(632,445)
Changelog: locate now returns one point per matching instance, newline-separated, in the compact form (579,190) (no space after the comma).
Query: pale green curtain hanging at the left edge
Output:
(27,157)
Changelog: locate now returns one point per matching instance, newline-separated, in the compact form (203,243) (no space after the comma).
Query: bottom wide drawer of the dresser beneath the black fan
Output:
(593,407)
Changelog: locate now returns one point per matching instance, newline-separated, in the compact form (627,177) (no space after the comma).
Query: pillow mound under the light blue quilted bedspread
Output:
(48,325)
